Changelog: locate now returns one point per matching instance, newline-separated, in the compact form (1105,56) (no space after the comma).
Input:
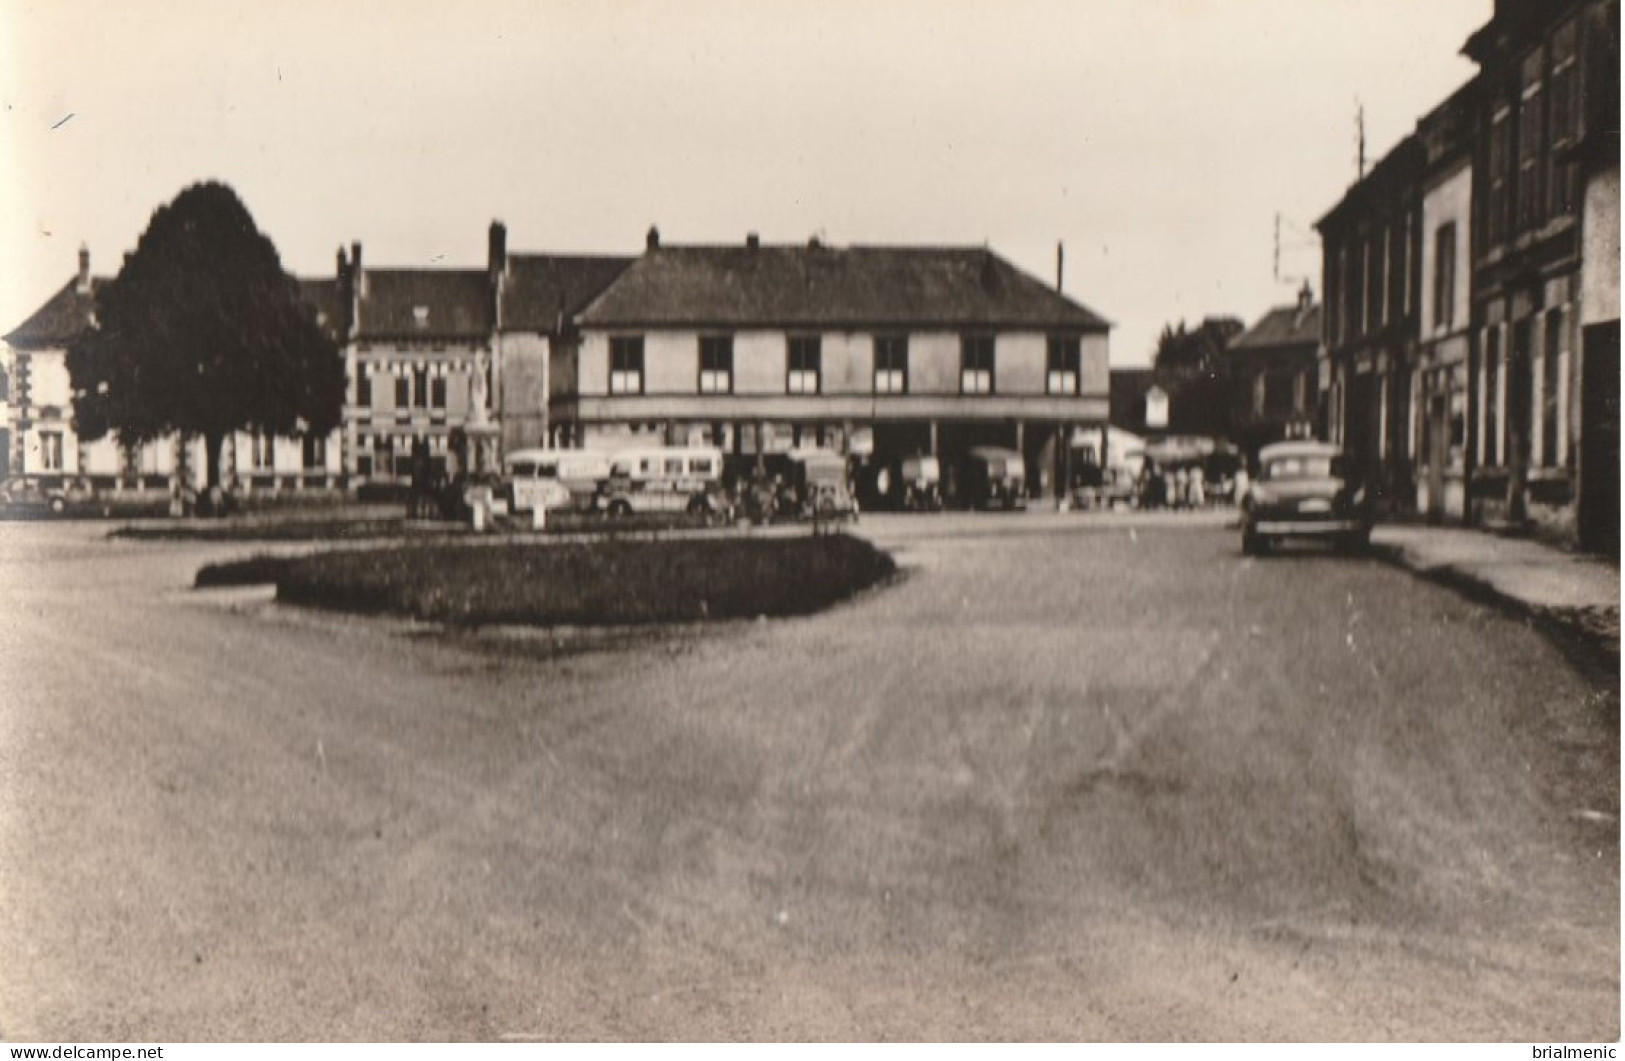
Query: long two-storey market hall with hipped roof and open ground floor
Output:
(875,353)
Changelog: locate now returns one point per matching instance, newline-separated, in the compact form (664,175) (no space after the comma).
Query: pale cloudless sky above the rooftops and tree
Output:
(1156,139)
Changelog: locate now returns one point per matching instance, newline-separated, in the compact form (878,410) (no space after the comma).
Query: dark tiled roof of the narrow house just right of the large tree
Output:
(431,305)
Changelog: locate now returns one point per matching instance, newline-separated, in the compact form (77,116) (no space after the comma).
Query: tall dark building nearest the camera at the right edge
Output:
(1545,176)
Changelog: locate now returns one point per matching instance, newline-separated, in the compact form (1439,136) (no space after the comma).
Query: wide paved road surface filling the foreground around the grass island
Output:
(1072,777)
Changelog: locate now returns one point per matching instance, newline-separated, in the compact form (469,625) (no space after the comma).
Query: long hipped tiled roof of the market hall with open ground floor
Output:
(828,287)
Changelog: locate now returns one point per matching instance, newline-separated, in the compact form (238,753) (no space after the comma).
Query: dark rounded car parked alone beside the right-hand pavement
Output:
(1306,490)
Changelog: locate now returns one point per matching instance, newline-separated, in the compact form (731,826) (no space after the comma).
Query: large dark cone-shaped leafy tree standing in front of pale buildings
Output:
(202,332)
